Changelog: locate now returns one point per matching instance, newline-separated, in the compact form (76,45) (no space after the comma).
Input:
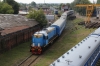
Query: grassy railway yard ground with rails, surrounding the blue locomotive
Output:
(20,55)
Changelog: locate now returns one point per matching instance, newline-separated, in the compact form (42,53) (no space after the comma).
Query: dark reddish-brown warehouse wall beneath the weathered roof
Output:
(10,40)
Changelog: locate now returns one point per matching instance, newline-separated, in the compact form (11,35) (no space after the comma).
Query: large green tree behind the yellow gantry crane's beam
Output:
(80,10)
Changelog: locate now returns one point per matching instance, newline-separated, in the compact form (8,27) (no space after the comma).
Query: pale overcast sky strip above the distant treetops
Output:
(47,1)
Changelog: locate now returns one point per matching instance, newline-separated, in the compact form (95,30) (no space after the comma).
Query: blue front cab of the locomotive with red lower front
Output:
(39,40)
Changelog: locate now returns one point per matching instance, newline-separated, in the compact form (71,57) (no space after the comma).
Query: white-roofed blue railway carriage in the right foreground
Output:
(85,53)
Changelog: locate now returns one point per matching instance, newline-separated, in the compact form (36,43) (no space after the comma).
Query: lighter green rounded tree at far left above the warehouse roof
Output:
(6,8)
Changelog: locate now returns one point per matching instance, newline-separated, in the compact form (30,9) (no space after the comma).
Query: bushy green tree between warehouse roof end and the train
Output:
(38,16)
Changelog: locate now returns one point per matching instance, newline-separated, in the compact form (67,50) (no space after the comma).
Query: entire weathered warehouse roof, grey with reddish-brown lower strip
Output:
(11,23)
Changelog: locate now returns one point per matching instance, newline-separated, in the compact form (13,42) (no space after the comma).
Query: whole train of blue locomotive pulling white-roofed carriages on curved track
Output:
(43,38)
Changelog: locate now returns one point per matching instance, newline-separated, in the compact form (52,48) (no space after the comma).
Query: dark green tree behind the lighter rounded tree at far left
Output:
(14,5)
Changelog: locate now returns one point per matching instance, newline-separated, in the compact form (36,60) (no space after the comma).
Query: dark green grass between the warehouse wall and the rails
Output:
(15,55)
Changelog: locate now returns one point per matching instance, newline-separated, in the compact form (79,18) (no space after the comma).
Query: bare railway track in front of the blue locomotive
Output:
(29,60)
